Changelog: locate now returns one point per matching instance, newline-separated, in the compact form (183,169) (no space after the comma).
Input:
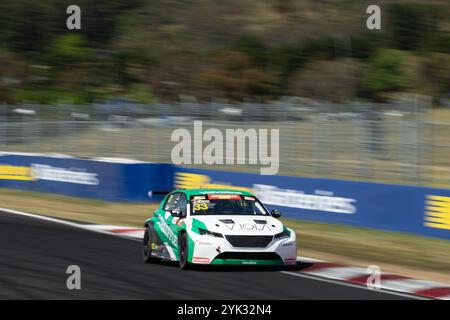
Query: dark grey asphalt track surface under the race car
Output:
(35,254)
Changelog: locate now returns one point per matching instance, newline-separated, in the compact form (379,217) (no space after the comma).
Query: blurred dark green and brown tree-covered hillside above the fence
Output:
(146,50)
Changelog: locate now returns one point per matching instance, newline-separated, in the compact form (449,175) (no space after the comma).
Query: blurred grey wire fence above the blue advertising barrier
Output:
(398,142)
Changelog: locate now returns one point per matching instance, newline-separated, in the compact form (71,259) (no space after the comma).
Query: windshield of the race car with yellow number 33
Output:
(226,204)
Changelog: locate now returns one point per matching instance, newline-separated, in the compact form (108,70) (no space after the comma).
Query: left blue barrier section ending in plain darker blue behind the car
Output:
(96,179)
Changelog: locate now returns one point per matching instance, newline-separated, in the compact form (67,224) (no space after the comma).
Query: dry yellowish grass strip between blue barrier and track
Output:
(401,253)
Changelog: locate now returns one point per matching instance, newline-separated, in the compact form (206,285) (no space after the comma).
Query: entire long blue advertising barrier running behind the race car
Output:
(419,210)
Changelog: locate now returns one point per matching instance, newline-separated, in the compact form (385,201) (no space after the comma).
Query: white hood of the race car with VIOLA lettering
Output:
(241,225)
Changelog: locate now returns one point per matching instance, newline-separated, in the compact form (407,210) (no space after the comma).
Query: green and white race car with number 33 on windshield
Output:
(217,227)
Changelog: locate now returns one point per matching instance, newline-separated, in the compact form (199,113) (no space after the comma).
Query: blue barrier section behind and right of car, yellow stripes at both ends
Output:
(424,211)
